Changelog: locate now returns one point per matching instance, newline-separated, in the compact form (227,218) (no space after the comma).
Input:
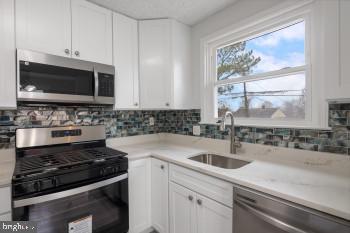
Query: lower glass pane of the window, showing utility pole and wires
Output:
(275,98)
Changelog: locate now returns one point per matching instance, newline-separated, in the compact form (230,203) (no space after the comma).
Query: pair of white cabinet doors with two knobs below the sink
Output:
(191,212)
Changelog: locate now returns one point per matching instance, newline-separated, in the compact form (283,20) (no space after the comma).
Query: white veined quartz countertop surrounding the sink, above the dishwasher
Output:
(301,184)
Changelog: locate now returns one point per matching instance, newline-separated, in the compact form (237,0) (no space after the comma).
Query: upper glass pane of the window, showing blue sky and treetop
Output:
(270,52)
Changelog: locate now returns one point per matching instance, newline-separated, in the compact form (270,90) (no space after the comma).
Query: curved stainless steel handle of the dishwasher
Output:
(269,219)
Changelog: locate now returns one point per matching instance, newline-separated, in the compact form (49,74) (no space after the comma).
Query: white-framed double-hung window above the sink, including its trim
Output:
(270,69)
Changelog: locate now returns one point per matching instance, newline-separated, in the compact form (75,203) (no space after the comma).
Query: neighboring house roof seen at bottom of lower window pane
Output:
(261,113)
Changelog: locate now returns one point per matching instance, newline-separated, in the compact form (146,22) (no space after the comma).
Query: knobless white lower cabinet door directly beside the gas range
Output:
(139,195)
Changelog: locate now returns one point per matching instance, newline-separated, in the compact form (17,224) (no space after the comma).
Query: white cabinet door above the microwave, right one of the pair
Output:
(91,32)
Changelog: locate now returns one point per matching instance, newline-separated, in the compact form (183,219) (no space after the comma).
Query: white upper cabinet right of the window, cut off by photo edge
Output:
(337,49)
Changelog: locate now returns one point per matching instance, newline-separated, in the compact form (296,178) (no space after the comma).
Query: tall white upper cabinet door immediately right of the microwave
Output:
(125,53)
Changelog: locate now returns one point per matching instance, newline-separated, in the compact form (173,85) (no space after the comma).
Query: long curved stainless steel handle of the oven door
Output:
(67,193)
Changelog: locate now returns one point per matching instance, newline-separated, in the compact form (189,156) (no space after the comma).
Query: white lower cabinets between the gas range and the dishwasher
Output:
(161,198)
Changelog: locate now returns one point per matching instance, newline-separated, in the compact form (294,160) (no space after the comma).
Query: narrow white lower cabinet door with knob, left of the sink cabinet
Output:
(160,183)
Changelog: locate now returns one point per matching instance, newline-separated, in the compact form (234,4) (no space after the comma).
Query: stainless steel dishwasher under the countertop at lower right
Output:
(255,212)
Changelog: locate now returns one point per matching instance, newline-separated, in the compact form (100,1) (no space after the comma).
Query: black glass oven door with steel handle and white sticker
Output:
(102,205)
